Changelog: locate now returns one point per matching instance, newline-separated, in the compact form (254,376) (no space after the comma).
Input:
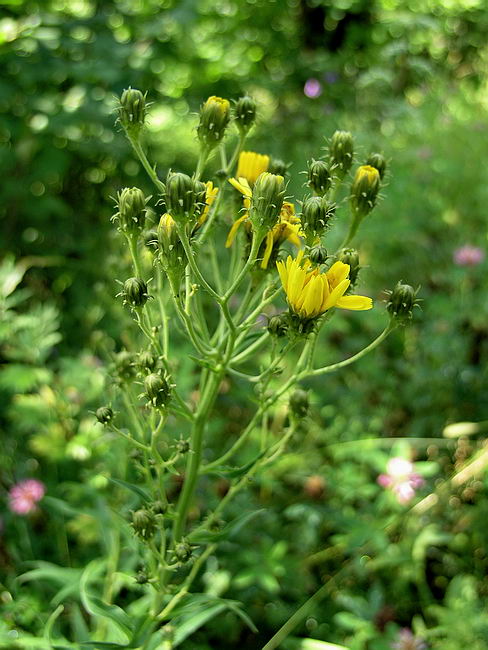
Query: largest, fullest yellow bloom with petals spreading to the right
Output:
(311,293)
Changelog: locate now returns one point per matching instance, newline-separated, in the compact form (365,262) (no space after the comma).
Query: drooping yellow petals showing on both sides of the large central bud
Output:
(287,228)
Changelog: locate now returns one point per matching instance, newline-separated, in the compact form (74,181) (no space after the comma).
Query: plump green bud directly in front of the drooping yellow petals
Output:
(267,201)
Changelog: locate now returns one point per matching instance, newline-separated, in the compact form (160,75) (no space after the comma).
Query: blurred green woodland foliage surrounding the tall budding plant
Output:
(407,78)
